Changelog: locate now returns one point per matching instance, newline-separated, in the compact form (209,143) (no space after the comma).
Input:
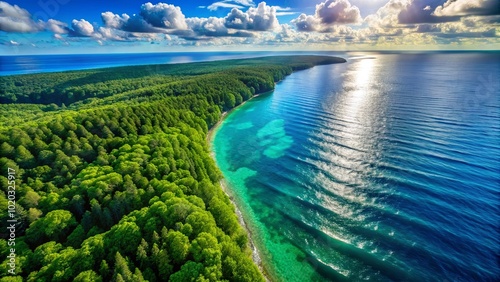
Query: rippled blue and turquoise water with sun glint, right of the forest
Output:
(386,168)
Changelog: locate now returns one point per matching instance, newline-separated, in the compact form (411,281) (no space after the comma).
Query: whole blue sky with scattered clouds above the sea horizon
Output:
(131,26)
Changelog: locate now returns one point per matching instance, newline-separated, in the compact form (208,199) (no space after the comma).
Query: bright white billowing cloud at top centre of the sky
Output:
(261,18)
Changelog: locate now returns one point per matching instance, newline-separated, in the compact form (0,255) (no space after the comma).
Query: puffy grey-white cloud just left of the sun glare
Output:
(327,14)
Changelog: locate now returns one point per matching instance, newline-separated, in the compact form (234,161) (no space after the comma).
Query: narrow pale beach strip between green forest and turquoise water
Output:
(256,253)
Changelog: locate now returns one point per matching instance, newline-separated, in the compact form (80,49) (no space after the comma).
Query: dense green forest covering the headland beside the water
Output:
(112,174)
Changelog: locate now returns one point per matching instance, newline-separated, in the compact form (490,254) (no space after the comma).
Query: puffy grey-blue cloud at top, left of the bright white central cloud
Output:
(163,16)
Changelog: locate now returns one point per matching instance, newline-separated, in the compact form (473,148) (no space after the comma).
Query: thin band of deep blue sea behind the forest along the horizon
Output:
(89,61)
